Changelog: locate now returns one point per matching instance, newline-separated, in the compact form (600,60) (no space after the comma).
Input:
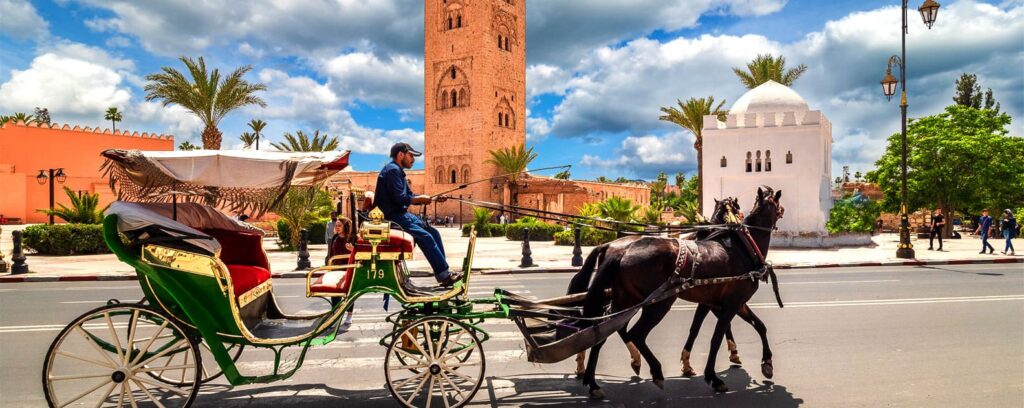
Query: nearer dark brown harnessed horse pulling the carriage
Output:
(636,267)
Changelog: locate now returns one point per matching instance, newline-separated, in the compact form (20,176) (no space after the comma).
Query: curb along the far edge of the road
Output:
(30,278)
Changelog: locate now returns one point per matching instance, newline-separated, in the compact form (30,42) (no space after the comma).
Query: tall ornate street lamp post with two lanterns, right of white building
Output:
(929,12)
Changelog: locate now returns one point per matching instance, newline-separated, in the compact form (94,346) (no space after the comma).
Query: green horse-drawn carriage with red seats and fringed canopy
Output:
(208,295)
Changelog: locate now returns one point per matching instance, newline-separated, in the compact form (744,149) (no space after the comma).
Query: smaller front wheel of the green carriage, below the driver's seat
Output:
(445,368)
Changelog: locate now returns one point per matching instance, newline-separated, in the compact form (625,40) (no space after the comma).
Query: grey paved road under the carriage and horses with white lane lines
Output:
(854,338)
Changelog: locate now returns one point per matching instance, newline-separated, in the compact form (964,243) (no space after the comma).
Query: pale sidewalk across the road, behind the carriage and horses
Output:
(498,256)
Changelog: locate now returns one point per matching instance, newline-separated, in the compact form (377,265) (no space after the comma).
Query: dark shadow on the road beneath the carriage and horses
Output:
(529,391)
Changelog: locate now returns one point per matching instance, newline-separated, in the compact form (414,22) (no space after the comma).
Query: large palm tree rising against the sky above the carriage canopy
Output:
(207,95)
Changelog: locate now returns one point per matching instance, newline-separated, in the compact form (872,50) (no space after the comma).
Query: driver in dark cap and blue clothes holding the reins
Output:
(394,197)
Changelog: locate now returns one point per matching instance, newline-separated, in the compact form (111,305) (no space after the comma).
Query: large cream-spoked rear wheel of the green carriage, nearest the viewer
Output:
(100,360)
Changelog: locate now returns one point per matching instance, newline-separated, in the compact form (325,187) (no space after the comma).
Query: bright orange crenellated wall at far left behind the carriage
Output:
(26,149)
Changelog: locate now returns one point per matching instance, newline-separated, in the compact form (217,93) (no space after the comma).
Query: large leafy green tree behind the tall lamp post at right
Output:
(960,160)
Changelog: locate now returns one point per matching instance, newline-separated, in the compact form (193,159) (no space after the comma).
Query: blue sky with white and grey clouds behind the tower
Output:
(598,71)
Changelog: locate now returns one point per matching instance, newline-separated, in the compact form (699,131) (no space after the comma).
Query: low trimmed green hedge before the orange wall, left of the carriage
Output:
(67,239)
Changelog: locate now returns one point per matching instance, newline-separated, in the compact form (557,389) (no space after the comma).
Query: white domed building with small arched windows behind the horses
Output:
(773,138)
